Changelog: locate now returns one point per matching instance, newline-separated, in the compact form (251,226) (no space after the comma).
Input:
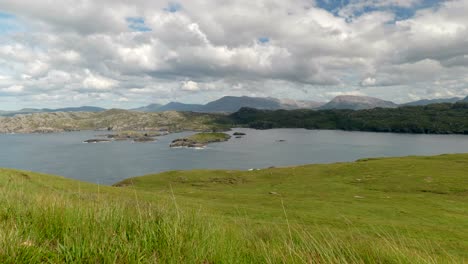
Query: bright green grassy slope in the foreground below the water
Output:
(396,210)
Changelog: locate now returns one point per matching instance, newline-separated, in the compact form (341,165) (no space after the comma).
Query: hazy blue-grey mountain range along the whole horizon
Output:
(229,104)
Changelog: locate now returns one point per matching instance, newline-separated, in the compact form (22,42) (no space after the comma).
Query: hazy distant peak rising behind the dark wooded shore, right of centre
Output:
(357,103)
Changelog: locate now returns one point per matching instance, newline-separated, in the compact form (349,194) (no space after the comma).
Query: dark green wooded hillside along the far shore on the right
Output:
(430,119)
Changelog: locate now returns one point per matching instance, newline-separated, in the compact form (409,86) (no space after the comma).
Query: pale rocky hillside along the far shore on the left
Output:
(109,120)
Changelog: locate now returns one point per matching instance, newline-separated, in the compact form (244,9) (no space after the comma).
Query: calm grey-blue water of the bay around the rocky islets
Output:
(107,163)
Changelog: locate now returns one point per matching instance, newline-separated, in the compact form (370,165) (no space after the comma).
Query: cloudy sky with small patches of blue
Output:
(119,53)
